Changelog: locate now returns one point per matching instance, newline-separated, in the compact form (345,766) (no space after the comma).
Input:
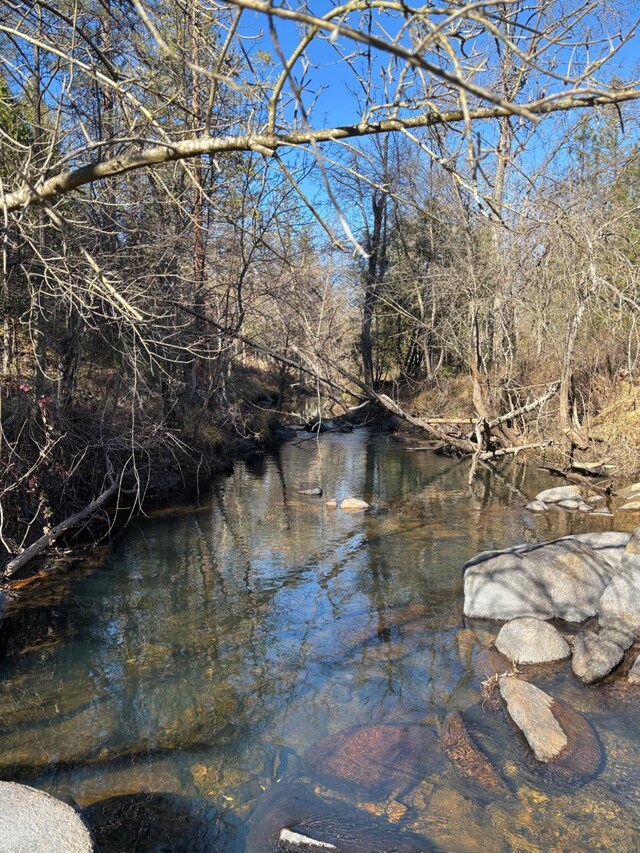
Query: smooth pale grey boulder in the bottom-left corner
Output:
(34,822)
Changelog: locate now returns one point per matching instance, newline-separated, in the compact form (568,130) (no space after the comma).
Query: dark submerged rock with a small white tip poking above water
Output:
(293,807)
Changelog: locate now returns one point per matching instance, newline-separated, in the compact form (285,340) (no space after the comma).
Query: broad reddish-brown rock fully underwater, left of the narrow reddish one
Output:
(375,760)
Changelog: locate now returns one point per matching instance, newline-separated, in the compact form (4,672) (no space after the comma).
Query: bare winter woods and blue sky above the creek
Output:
(215,213)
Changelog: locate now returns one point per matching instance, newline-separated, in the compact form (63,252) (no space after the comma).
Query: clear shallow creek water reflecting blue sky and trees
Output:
(220,642)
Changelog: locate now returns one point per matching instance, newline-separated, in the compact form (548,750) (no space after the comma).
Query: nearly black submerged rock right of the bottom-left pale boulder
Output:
(149,823)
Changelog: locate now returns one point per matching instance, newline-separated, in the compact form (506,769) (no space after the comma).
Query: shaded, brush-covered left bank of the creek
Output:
(73,479)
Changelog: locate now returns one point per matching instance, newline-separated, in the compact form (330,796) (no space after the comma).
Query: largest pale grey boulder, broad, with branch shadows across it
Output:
(563,579)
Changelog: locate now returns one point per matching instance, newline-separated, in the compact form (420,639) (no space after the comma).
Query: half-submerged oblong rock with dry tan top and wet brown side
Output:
(560,738)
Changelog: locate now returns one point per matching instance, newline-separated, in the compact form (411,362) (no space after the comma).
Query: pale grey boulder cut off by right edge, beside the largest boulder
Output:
(619,605)
